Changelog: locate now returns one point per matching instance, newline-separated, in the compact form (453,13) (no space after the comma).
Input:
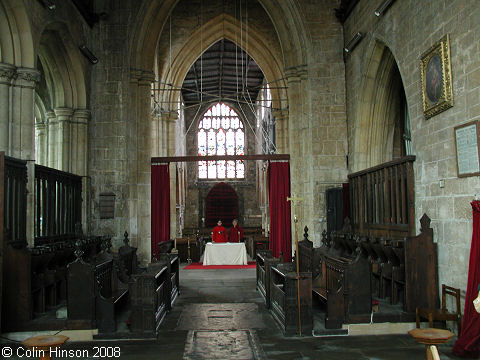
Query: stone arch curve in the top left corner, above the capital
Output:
(16,43)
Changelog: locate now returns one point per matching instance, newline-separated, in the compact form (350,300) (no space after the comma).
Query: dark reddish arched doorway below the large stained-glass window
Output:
(221,204)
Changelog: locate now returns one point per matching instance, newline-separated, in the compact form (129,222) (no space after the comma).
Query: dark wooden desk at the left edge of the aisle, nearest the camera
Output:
(150,299)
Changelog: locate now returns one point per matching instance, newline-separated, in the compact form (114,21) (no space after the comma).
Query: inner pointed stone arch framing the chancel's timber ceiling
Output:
(223,26)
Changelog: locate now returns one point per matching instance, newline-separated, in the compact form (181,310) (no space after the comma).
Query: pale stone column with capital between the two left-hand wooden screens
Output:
(23,134)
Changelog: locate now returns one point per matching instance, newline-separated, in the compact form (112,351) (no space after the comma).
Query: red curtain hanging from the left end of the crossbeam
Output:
(160,206)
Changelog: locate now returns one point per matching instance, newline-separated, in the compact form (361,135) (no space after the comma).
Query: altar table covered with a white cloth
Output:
(225,254)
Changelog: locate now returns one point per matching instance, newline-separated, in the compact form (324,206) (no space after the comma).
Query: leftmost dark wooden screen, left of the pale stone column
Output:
(15,190)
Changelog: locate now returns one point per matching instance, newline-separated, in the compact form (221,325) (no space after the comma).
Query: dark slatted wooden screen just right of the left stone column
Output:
(58,204)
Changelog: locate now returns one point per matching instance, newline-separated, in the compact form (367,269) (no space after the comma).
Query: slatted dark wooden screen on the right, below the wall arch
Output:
(382,198)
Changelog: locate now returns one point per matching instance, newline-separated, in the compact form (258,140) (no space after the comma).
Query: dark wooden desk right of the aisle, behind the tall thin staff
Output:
(284,303)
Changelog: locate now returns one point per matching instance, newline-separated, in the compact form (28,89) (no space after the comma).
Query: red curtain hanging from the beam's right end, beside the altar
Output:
(280,223)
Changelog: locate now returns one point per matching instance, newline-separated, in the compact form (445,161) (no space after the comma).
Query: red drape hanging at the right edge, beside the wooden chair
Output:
(468,343)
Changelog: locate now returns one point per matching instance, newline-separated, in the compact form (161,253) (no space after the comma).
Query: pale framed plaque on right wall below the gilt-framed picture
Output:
(467,148)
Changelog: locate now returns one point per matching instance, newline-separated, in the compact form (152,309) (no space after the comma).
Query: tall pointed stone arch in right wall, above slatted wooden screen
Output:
(379,109)
